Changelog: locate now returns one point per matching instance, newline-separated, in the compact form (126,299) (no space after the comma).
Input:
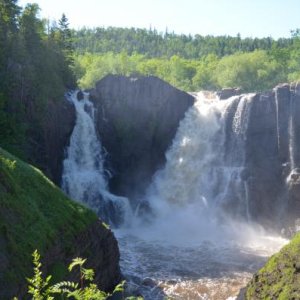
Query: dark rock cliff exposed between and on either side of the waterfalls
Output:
(137,118)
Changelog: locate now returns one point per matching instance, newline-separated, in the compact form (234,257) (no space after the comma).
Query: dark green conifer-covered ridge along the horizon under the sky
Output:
(152,43)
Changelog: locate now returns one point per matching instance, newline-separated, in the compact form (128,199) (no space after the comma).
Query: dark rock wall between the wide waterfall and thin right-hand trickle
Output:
(261,158)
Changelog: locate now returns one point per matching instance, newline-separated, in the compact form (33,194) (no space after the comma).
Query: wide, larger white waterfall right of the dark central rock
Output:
(205,167)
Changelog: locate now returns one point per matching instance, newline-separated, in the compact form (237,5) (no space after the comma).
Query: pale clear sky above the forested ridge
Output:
(250,18)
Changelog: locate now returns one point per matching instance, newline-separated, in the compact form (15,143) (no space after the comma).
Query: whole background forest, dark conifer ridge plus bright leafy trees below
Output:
(187,62)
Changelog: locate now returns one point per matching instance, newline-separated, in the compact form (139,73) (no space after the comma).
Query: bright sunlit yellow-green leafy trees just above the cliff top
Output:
(251,71)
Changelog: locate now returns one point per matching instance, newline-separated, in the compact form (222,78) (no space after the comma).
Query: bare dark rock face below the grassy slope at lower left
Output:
(97,244)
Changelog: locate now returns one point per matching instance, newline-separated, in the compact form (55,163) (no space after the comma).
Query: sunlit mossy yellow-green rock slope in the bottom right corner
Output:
(280,277)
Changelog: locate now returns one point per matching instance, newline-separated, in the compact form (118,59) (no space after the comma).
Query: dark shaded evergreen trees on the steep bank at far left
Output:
(35,68)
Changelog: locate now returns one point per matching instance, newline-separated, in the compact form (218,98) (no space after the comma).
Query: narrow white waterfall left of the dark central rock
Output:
(83,177)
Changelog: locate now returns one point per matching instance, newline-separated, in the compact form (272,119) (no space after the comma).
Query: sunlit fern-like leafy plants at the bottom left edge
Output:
(41,289)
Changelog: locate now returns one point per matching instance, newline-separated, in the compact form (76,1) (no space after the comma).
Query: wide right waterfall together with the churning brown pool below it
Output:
(198,242)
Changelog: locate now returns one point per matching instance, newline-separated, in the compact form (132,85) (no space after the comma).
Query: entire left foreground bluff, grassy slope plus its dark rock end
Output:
(35,214)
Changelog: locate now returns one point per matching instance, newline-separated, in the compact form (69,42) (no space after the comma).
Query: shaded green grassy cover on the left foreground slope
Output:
(34,214)
